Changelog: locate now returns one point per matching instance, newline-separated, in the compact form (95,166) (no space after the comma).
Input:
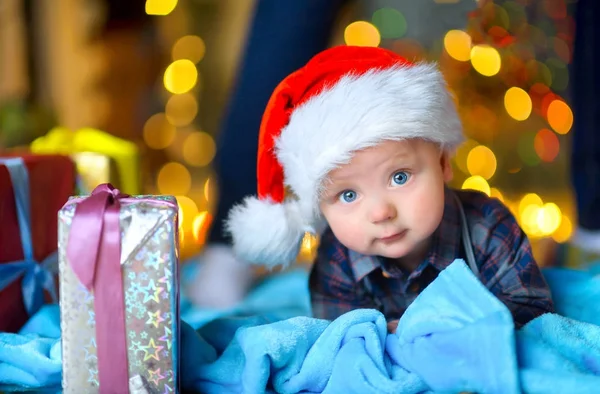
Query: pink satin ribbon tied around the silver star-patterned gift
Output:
(94,253)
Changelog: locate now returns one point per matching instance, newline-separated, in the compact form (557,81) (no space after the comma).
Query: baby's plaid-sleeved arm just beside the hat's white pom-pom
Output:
(333,290)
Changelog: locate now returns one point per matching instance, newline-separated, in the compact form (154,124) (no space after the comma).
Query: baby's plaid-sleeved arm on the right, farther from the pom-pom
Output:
(520,285)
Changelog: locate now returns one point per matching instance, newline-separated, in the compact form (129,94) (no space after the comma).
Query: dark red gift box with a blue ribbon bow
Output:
(32,190)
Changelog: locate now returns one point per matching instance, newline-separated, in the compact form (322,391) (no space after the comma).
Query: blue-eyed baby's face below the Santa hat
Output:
(389,199)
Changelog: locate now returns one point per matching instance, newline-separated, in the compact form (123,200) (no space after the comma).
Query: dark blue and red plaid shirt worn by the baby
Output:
(342,280)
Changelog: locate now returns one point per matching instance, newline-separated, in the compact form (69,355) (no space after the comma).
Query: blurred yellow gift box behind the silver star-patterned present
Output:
(93,150)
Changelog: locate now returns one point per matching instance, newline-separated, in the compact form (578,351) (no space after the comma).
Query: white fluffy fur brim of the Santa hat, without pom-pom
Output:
(360,111)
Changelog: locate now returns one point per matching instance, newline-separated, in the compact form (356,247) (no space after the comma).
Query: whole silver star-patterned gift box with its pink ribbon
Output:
(119,293)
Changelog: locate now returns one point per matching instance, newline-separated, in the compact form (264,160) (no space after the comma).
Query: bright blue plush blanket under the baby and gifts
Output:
(455,337)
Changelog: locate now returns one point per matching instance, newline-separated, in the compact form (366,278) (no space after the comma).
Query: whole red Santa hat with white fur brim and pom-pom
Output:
(345,99)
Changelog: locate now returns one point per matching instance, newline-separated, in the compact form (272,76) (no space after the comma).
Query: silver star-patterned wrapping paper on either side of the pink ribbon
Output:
(149,258)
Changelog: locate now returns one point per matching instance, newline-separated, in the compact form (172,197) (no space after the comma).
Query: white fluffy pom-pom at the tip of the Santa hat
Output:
(266,233)
